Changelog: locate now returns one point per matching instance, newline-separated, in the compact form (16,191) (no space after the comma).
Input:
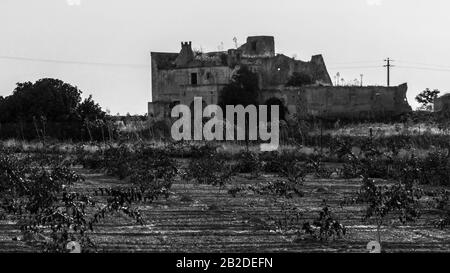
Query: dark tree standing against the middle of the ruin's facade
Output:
(243,89)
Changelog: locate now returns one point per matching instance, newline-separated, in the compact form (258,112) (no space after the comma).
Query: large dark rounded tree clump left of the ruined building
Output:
(51,108)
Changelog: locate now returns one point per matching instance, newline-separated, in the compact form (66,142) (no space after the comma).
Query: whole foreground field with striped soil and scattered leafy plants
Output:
(185,198)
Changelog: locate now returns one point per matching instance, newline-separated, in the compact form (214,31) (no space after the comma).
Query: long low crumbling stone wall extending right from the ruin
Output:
(351,102)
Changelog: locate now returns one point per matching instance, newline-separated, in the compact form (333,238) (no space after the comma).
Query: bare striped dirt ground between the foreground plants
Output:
(201,218)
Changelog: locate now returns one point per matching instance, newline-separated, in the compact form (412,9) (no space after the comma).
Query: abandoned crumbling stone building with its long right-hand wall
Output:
(179,77)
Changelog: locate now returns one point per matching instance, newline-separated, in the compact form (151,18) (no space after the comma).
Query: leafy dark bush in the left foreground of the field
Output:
(49,214)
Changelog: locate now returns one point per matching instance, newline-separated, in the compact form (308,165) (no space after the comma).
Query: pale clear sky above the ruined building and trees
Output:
(354,36)
